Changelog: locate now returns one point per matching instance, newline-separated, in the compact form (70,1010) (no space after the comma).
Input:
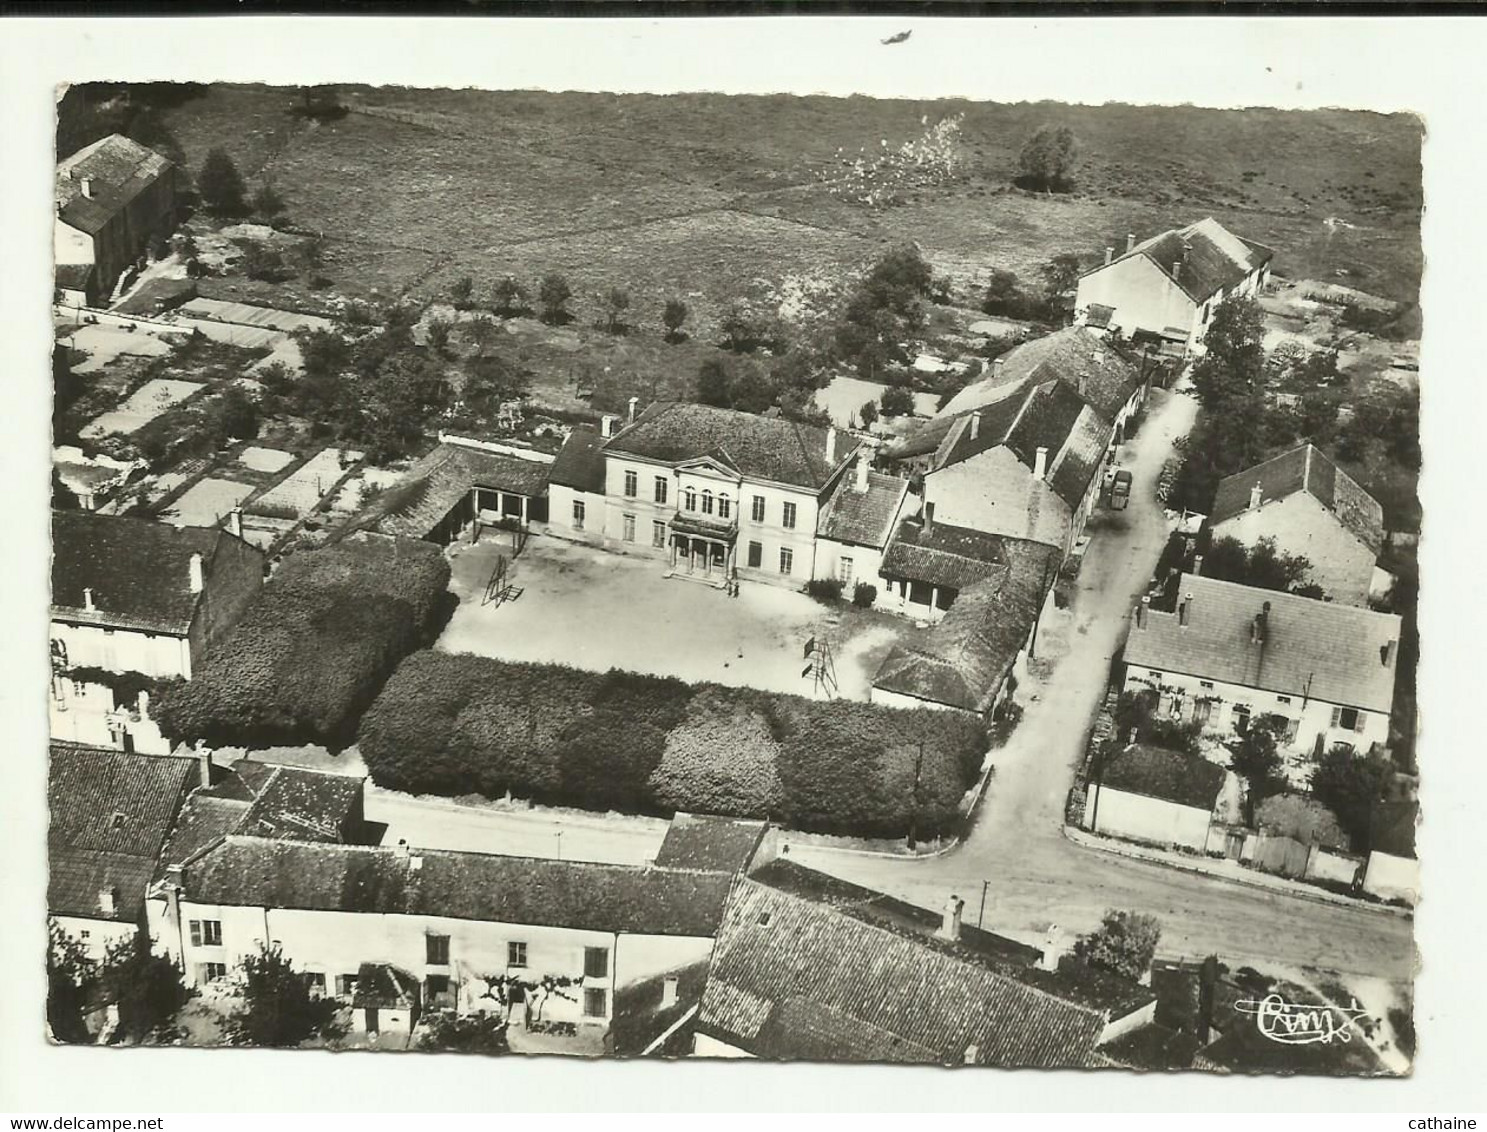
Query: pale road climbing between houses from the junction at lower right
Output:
(1036,875)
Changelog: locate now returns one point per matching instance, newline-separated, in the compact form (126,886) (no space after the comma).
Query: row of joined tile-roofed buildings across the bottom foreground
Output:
(759,956)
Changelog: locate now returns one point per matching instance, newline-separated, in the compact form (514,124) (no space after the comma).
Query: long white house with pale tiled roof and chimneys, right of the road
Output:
(1230,657)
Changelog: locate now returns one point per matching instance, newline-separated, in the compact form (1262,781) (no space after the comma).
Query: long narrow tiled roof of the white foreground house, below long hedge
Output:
(258,872)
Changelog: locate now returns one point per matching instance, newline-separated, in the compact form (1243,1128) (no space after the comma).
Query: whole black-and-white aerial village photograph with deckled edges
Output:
(735,576)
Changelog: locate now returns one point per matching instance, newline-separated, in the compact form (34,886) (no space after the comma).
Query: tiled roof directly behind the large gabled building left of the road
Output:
(1074,356)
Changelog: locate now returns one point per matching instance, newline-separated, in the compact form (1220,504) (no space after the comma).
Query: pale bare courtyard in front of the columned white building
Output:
(593,609)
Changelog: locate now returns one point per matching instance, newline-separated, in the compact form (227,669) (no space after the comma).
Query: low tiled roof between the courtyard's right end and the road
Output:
(967,657)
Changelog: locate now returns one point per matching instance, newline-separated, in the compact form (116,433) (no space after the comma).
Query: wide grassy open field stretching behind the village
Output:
(710,197)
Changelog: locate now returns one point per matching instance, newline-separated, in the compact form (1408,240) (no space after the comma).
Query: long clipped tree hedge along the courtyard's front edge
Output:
(456,724)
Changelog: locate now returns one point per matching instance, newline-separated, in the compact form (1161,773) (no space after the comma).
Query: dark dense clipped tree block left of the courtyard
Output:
(315,648)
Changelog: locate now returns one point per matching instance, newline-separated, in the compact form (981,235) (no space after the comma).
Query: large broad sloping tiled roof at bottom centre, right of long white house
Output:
(802,975)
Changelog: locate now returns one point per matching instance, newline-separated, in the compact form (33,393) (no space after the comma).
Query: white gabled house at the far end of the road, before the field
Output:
(1168,288)
